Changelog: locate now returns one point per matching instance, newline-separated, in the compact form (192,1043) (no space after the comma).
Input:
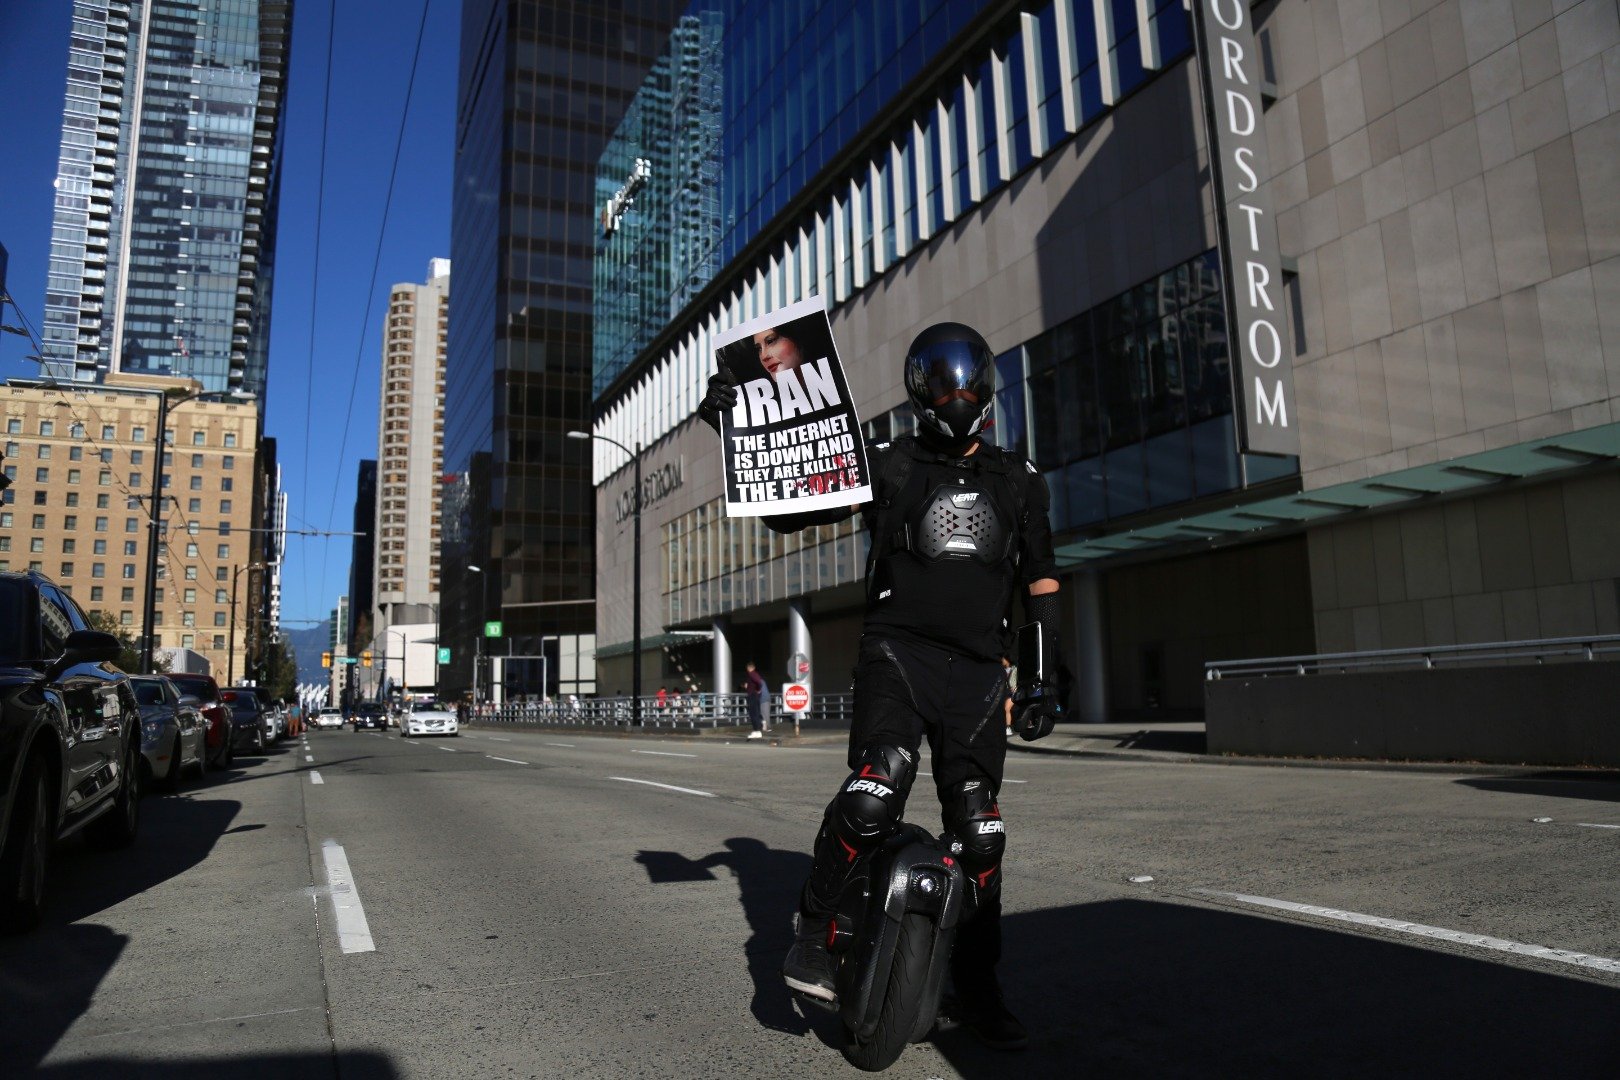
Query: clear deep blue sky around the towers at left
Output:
(372,62)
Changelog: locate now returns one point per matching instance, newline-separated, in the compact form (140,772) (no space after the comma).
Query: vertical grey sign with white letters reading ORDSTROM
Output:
(1264,378)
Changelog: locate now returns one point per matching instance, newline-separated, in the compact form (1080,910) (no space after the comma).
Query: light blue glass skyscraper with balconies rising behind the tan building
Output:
(164,232)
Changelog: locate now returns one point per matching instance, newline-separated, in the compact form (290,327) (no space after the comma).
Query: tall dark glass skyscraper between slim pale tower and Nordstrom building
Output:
(544,85)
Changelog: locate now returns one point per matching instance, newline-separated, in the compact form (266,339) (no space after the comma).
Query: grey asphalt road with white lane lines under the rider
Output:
(531,904)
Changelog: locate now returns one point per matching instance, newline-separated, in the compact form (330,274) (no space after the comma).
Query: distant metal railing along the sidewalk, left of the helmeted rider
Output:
(693,712)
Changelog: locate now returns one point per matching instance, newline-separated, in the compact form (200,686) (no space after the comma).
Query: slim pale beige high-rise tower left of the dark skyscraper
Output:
(411,457)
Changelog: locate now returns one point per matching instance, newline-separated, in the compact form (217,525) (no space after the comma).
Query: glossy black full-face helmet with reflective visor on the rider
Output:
(952,381)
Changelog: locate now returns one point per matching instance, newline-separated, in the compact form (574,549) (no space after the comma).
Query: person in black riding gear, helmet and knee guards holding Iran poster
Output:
(958,527)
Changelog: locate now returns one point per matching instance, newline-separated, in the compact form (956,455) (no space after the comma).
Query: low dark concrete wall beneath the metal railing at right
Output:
(1524,715)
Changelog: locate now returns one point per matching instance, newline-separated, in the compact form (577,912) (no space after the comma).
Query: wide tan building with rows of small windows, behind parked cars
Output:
(82,459)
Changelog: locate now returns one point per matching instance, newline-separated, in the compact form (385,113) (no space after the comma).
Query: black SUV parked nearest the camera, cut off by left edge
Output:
(70,739)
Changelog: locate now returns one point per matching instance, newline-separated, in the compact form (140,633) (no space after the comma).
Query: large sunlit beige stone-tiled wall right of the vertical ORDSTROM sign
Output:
(1447,177)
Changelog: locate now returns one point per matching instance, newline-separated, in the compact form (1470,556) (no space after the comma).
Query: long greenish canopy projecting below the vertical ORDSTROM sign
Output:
(1592,448)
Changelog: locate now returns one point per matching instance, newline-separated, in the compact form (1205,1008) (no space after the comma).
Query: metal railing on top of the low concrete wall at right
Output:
(1428,658)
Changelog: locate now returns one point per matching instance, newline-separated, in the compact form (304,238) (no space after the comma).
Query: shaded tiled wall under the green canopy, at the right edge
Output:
(1537,563)
